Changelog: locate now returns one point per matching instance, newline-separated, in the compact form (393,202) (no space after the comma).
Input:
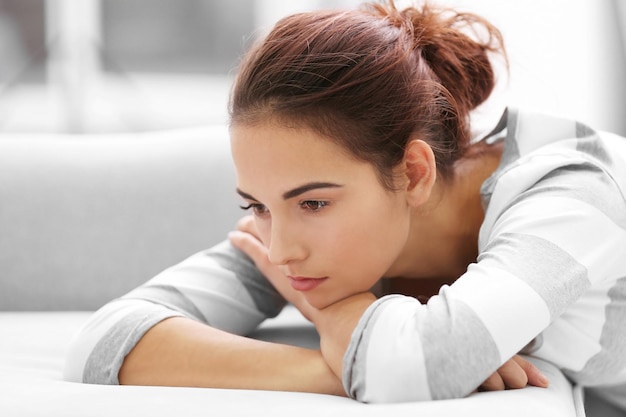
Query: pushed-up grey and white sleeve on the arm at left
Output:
(220,287)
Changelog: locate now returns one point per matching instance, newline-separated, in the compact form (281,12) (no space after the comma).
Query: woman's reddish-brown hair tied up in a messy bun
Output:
(372,79)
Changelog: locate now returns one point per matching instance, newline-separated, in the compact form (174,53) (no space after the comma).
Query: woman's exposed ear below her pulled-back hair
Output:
(420,171)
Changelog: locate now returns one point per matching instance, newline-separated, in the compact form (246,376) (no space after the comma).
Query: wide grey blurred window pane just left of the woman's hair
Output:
(190,36)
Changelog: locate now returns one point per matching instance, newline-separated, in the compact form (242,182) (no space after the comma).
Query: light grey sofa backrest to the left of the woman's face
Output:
(84,219)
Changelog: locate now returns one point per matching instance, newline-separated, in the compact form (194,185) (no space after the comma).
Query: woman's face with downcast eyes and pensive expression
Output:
(327,222)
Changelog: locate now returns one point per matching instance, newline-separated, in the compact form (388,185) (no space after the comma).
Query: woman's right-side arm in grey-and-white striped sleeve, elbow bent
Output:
(546,248)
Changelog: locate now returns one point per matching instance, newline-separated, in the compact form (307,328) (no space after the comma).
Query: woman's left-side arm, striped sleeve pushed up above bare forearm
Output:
(181,327)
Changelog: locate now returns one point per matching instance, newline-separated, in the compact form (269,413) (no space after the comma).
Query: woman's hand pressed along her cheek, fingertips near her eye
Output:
(246,238)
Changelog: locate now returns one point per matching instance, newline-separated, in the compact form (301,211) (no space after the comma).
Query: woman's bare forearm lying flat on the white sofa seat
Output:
(182,352)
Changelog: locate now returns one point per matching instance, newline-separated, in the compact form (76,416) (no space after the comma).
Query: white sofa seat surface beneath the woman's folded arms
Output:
(33,347)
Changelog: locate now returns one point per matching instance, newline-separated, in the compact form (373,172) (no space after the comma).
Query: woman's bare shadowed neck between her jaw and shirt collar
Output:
(443,239)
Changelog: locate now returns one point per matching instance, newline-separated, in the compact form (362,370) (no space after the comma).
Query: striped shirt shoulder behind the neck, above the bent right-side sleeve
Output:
(538,145)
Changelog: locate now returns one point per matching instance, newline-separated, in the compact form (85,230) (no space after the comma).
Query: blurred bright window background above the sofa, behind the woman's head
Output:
(135,65)
